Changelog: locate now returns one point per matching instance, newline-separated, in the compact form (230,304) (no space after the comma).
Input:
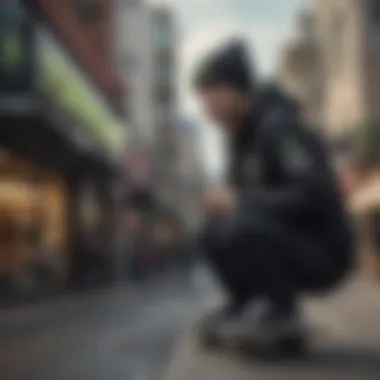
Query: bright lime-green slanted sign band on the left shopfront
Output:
(62,79)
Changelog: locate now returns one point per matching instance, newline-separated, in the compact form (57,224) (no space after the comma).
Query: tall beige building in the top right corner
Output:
(349,40)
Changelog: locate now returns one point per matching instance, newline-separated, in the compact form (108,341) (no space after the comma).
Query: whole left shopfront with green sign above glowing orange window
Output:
(60,142)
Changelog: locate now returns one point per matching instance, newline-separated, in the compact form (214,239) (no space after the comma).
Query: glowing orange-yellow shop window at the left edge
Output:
(32,219)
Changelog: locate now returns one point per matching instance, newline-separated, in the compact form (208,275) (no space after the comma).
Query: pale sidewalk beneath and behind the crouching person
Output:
(347,345)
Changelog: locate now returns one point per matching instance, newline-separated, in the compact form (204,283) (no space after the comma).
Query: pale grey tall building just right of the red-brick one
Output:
(145,52)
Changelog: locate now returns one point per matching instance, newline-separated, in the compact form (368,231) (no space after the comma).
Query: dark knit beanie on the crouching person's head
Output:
(230,64)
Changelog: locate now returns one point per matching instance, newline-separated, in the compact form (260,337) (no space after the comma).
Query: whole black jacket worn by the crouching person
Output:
(279,166)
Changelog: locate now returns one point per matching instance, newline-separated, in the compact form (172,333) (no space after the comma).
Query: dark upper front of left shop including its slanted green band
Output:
(40,79)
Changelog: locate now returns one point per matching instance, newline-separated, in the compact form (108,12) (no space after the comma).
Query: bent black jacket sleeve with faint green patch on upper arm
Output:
(306,180)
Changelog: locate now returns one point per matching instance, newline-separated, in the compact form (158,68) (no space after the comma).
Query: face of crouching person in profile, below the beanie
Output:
(224,105)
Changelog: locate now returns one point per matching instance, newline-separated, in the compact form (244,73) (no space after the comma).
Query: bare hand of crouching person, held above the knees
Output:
(218,202)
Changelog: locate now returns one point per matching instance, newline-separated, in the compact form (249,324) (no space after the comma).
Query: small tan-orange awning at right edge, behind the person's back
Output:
(367,195)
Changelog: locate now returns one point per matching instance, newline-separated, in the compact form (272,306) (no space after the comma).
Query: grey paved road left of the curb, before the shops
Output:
(124,333)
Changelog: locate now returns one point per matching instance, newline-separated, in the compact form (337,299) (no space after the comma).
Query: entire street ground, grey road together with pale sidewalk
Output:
(146,332)
